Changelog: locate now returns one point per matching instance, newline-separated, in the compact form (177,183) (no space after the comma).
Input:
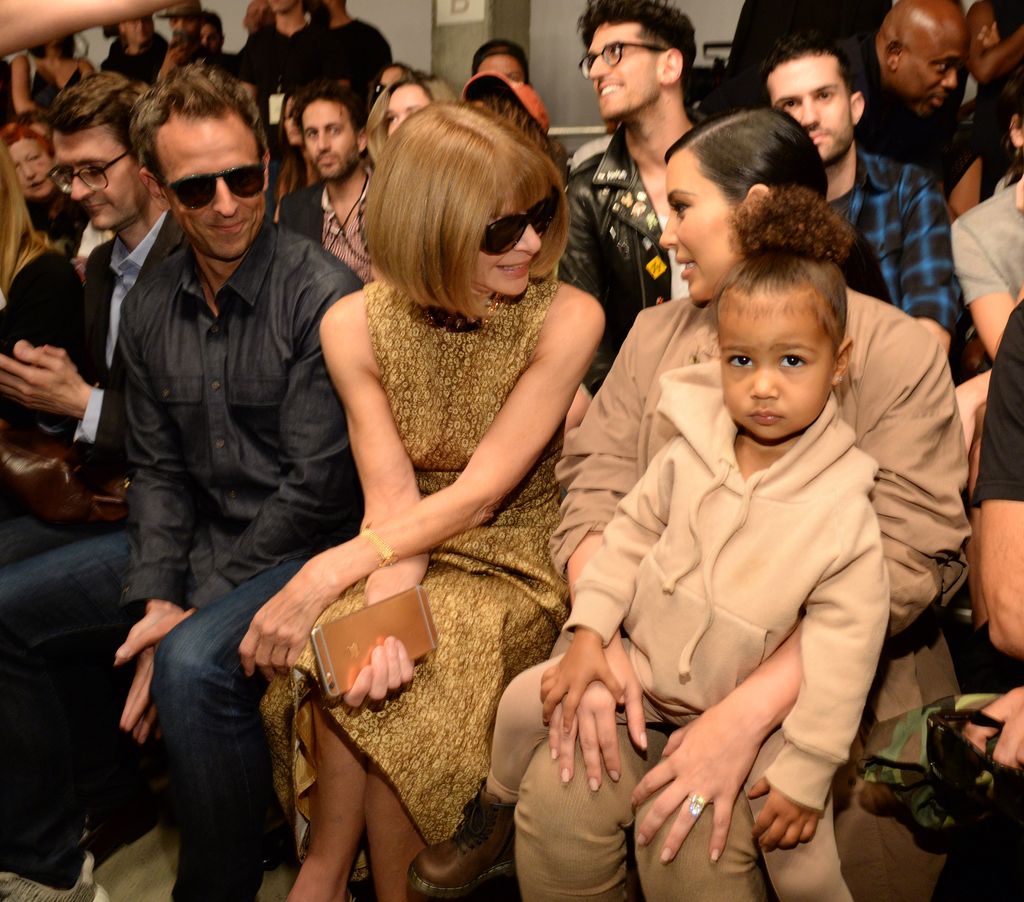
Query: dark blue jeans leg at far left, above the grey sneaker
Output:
(60,626)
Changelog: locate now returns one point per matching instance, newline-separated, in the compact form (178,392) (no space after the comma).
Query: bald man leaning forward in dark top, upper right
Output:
(910,74)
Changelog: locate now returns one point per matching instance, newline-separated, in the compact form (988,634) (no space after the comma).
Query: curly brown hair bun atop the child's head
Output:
(794,221)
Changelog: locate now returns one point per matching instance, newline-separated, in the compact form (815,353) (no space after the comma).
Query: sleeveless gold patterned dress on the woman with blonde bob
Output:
(497,602)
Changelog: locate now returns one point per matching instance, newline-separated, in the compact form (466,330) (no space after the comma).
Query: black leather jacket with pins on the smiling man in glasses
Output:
(614,251)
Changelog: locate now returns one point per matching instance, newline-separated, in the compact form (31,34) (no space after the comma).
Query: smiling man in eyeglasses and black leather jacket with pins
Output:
(638,58)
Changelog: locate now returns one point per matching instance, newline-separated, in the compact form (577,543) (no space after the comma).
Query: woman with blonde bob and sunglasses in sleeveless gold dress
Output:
(456,371)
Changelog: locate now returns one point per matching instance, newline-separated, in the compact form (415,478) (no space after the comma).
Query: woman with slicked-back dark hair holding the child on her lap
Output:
(900,400)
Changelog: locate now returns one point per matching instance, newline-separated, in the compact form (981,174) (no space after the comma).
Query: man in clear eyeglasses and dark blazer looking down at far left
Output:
(97,168)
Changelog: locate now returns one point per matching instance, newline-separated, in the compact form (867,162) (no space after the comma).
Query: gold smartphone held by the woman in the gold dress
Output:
(344,647)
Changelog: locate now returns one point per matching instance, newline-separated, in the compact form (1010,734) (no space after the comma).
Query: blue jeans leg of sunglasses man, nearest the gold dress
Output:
(220,763)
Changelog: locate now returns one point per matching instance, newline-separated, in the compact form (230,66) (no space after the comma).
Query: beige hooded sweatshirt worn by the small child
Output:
(710,573)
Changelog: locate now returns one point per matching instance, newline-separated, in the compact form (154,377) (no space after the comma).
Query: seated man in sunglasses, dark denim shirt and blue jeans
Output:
(241,471)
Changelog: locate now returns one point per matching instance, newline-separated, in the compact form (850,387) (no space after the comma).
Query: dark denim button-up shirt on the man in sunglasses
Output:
(236,437)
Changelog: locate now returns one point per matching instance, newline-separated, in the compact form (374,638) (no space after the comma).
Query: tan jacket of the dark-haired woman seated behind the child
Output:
(899,398)
